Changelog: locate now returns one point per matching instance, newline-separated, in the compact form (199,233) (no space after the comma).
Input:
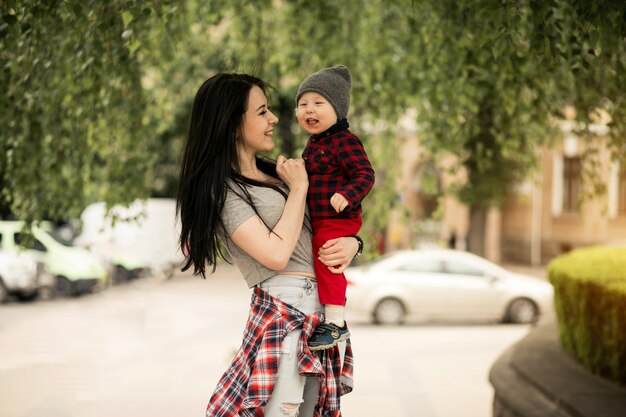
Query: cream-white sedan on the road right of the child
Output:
(443,285)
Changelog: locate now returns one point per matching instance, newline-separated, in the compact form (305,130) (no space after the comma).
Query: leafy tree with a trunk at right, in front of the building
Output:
(496,91)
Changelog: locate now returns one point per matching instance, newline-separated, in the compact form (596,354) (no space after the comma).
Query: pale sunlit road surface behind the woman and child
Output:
(157,348)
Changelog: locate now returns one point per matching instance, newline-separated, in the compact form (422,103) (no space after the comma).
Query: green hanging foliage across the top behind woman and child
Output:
(96,95)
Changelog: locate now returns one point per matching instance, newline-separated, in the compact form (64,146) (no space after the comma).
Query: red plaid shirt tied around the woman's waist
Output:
(247,386)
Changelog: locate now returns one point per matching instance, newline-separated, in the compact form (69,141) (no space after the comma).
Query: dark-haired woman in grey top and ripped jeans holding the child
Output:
(229,199)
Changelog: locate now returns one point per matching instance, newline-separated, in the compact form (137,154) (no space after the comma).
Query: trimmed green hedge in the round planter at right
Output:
(590,300)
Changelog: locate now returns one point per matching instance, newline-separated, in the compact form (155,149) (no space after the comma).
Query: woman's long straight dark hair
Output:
(209,162)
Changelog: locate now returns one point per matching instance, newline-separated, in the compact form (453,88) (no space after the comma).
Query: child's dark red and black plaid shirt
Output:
(337,163)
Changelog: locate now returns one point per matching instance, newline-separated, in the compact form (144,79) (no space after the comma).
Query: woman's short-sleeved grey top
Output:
(269,203)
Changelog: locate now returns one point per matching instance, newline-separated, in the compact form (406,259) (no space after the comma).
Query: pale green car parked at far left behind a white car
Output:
(76,270)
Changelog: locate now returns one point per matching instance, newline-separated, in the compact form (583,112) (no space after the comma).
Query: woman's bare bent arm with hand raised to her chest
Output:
(273,249)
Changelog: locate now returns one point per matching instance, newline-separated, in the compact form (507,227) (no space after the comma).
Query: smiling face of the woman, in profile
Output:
(258,124)
